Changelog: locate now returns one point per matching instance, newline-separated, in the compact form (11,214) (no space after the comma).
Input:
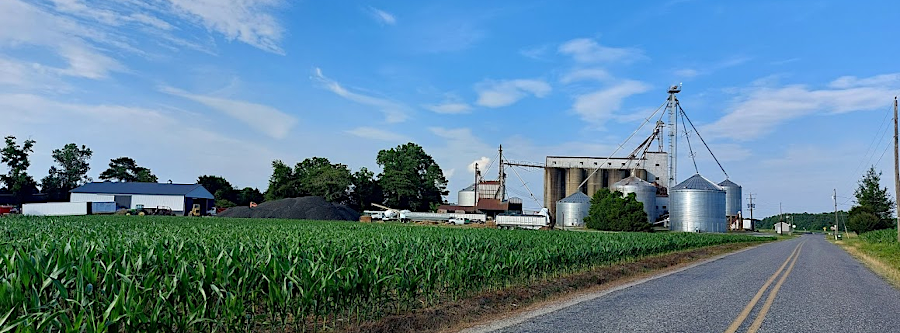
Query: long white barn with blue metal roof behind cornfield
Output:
(129,195)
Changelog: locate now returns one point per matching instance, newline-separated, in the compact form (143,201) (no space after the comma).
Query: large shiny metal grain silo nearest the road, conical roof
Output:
(697,205)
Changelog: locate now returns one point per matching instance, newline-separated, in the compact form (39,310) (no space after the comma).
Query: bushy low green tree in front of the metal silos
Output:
(612,211)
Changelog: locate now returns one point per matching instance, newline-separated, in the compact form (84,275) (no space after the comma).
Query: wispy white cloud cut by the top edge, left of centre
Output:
(249,21)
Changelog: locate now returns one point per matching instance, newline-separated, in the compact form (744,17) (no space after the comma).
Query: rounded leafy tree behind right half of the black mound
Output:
(319,177)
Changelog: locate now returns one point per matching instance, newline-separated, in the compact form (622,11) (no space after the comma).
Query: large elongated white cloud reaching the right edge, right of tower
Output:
(760,109)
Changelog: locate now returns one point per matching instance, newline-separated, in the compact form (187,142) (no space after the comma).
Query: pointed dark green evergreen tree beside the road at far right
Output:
(874,205)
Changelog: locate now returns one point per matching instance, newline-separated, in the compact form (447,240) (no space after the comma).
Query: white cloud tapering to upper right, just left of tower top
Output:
(599,106)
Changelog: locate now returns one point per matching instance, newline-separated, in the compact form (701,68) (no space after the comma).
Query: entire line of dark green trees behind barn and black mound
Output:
(410,178)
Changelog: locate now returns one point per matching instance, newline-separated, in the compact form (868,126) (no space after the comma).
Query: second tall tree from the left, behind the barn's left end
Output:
(71,173)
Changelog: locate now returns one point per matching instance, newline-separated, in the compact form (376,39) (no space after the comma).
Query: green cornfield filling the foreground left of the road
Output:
(118,273)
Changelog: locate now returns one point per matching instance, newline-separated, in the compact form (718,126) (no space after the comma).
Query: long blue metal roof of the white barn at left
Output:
(186,190)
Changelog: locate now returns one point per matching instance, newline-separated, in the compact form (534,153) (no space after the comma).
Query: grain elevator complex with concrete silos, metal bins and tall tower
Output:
(695,204)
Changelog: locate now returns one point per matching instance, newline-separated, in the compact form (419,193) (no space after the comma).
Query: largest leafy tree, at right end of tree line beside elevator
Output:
(410,178)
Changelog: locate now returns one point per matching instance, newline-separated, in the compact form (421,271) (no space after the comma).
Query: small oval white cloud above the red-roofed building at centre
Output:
(495,94)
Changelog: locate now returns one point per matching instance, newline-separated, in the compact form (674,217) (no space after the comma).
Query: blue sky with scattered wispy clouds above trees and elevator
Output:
(792,95)
